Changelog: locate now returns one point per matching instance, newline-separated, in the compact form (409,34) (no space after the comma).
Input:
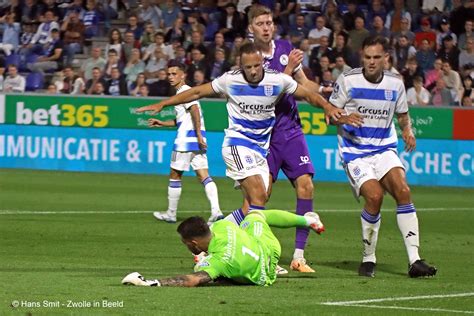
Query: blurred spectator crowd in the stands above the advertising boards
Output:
(122,47)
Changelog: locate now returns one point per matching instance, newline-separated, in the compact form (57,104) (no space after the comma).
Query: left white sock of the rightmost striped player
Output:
(370,233)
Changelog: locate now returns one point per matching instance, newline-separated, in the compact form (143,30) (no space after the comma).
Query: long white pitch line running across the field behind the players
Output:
(39,212)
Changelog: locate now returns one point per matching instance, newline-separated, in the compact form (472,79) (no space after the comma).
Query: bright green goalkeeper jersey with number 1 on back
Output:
(237,255)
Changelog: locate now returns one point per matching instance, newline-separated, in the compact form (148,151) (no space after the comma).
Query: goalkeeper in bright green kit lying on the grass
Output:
(246,254)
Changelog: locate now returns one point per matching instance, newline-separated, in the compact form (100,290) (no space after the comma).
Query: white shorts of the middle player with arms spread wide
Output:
(243,162)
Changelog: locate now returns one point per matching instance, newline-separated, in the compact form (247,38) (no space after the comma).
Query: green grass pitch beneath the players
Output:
(67,239)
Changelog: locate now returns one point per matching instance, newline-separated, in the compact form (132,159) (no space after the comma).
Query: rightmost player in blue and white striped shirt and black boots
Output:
(369,151)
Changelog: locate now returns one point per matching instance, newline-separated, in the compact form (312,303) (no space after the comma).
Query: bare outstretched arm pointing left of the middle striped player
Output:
(192,94)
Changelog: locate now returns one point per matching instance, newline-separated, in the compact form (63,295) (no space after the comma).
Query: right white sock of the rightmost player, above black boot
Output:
(408,225)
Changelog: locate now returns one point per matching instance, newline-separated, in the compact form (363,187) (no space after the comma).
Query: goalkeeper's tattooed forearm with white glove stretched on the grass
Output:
(188,280)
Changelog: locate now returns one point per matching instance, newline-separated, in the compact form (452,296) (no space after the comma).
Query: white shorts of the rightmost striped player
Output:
(360,170)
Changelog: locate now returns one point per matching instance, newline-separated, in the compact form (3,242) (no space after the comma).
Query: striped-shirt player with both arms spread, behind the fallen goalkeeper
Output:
(252,94)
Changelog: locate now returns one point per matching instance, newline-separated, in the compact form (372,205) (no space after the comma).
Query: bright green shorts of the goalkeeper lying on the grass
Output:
(256,226)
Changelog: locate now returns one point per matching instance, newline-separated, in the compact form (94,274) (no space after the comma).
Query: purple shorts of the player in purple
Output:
(289,152)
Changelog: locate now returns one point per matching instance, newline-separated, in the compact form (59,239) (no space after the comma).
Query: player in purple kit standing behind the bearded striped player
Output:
(288,149)
